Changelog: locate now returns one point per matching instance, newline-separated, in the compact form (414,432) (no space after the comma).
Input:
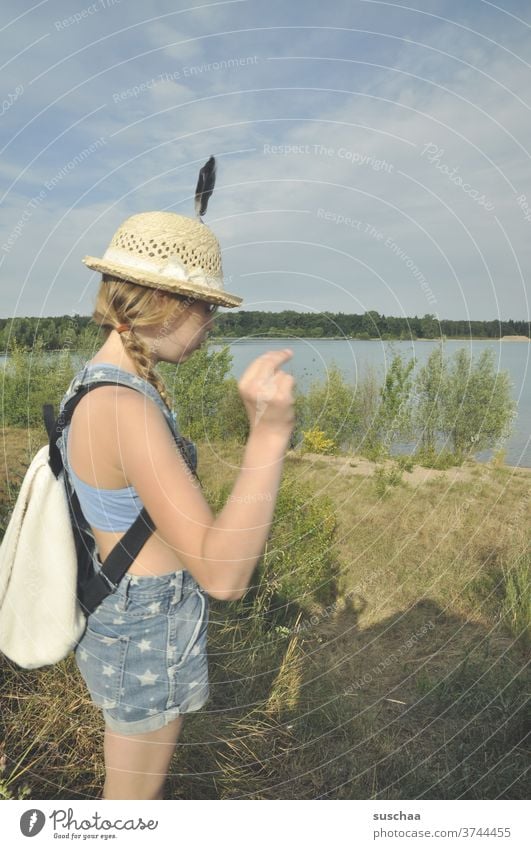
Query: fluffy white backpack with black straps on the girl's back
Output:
(47,581)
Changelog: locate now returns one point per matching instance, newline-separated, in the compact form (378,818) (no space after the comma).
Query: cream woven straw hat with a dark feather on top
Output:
(163,250)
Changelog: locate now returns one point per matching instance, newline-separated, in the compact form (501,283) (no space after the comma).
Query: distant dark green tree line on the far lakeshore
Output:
(66,331)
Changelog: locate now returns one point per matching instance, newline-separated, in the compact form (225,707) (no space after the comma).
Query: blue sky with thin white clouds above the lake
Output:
(371,155)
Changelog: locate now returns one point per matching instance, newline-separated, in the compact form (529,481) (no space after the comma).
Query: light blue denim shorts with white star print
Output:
(143,654)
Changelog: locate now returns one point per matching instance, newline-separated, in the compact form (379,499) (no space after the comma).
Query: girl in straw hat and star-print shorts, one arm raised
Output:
(143,654)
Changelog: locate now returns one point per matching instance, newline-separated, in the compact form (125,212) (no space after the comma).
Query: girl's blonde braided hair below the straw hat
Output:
(121,302)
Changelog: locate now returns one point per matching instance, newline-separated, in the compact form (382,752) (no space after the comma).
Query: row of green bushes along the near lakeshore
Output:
(449,409)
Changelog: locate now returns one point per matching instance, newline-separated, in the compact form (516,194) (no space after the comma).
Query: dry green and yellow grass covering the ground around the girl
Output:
(381,653)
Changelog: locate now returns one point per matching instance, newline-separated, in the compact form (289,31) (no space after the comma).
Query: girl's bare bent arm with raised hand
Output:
(221,551)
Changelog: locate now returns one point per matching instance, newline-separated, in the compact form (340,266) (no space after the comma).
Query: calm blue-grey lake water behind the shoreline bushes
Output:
(312,357)
